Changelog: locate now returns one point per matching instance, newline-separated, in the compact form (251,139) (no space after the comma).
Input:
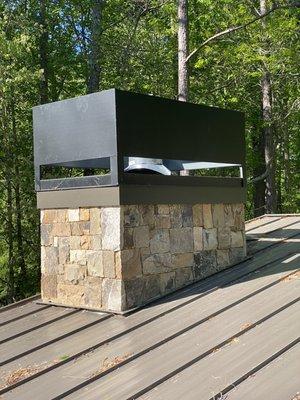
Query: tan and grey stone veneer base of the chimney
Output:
(116,258)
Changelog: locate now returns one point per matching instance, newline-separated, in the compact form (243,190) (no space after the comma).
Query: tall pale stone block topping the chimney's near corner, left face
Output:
(111,228)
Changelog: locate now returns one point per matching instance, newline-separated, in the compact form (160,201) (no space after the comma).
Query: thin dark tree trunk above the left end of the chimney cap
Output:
(43,47)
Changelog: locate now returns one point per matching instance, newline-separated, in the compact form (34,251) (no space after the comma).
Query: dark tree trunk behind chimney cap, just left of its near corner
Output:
(93,81)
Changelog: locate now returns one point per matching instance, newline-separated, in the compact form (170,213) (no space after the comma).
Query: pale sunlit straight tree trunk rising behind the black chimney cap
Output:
(183,78)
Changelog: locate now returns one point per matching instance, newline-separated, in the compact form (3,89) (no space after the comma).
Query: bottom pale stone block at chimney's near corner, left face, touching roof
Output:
(113,295)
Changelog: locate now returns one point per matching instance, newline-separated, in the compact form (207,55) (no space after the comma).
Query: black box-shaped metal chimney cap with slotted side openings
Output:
(104,129)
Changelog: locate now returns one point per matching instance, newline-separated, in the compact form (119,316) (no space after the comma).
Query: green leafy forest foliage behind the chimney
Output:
(51,42)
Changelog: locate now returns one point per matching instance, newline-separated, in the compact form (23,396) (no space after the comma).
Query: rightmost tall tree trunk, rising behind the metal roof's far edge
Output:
(270,195)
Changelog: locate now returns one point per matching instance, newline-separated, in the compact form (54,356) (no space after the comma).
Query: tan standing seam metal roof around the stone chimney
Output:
(234,335)
